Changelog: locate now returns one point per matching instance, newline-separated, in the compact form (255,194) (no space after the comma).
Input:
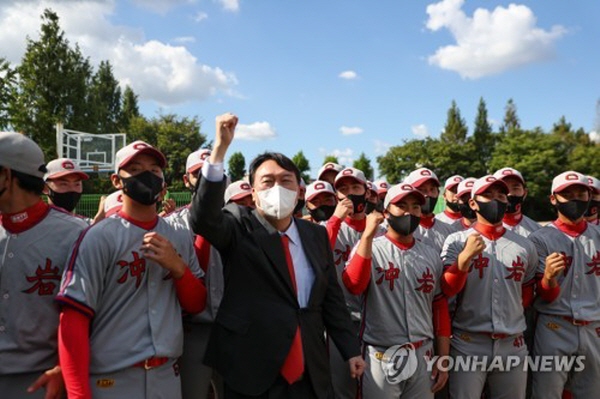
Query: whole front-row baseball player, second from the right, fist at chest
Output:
(493,271)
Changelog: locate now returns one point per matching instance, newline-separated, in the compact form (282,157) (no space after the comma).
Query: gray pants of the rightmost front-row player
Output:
(555,336)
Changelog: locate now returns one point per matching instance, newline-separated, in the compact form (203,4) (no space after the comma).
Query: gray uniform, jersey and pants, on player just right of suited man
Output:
(397,309)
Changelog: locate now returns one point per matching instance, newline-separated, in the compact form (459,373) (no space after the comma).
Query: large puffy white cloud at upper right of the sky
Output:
(490,42)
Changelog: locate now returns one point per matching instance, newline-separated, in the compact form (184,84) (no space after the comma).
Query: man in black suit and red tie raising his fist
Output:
(281,290)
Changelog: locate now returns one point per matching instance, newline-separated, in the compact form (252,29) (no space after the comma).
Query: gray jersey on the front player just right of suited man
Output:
(397,305)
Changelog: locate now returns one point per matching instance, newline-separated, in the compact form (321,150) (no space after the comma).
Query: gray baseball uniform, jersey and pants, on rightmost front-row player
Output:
(570,324)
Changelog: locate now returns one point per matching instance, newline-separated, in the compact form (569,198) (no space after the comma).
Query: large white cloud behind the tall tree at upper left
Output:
(157,71)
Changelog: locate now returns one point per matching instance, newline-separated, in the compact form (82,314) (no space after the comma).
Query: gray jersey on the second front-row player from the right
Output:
(491,300)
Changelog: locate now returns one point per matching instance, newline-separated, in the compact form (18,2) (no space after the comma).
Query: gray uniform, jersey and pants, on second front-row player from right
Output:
(489,319)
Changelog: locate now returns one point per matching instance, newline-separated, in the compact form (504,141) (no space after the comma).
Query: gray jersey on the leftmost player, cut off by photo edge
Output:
(31,266)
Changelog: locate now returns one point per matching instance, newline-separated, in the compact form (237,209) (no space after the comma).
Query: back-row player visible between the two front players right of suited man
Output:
(429,228)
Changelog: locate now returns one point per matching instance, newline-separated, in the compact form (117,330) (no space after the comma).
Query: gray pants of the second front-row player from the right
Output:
(503,383)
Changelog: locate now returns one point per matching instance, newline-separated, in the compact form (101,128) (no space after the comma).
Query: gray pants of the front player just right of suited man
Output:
(374,384)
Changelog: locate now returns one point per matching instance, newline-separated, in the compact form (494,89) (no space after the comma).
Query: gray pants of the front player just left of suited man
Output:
(137,383)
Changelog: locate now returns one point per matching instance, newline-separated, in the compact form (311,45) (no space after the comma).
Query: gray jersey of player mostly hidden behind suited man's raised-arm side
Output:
(213,279)
